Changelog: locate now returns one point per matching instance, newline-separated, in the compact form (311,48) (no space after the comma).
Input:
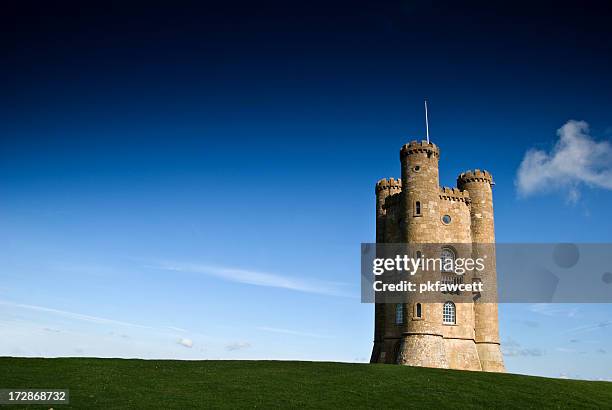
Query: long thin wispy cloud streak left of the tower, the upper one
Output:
(258,278)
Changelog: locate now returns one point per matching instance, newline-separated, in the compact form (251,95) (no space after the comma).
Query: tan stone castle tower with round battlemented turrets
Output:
(415,210)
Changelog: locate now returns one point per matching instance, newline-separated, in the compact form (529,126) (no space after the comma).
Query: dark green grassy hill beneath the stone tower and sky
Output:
(163,384)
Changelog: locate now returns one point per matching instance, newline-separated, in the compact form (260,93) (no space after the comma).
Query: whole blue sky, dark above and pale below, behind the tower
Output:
(196,183)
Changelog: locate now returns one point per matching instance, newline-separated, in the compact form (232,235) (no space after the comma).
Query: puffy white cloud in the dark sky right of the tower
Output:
(575,160)
